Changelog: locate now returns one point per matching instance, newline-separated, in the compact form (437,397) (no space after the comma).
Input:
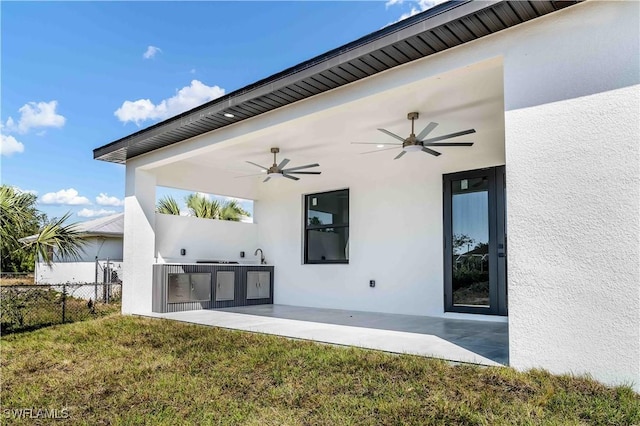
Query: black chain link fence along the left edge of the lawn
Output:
(29,307)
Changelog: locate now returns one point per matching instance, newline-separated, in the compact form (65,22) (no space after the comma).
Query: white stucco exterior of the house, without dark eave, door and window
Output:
(567,87)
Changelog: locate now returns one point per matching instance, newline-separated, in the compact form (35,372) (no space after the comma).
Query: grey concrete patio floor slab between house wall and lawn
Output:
(470,341)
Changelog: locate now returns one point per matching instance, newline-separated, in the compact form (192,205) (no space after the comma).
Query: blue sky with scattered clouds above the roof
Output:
(78,75)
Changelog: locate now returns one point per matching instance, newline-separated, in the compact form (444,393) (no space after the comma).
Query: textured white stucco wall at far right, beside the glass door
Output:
(573,164)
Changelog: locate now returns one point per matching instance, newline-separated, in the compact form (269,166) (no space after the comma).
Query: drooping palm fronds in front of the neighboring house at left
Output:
(56,237)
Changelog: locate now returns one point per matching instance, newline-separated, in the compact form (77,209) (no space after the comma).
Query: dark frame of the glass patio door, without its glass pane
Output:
(497,241)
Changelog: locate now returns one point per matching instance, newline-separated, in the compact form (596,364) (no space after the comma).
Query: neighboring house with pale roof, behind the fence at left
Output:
(103,238)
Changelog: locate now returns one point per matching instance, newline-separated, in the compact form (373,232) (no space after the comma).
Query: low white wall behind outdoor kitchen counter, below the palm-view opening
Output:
(204,239)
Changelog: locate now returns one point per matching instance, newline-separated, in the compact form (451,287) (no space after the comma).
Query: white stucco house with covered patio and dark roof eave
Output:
(552,91)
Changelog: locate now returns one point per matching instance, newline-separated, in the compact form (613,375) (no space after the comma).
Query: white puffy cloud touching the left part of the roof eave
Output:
(186,98)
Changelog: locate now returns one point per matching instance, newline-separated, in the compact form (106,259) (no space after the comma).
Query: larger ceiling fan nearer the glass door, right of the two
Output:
(418,142)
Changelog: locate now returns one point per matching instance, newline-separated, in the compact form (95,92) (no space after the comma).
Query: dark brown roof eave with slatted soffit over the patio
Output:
(445,13)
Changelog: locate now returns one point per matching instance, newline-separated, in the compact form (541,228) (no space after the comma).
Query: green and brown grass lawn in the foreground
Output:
(129,370)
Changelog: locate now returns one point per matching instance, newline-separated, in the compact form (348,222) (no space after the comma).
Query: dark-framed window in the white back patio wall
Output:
(326,217)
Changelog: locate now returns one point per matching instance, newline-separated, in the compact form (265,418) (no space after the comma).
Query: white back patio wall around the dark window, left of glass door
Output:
(395,234)
